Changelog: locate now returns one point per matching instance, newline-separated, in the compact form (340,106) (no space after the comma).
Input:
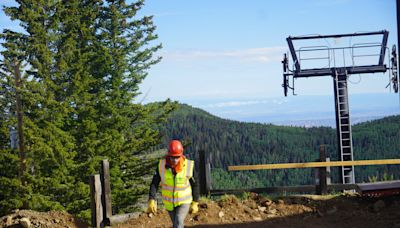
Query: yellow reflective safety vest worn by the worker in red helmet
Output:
(176,190)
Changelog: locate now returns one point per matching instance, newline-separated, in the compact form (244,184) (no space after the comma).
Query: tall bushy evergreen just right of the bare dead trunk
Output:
(48,149)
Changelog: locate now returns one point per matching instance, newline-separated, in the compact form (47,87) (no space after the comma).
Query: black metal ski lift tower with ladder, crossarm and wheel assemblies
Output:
(357,56)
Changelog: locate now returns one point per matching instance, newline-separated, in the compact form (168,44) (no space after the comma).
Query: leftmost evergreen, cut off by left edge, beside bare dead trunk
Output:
(12,173)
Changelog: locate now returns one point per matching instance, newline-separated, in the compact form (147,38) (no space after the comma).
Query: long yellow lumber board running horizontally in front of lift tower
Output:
(313,164)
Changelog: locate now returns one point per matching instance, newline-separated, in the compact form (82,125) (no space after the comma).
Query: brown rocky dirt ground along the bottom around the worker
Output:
(309,211)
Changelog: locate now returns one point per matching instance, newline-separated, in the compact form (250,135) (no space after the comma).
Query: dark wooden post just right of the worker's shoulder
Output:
(204,173)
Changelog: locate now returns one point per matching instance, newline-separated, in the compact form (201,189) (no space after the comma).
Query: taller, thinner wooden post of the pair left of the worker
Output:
(106,192)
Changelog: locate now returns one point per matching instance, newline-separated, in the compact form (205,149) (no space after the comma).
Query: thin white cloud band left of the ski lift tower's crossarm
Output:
(266,54)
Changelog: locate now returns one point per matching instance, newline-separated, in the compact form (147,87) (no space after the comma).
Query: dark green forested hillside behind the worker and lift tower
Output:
(237,143)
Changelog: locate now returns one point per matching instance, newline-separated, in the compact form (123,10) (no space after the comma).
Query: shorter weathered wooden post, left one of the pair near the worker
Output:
(95,196)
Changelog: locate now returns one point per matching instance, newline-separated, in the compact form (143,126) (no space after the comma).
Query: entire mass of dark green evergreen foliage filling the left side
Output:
(81,64)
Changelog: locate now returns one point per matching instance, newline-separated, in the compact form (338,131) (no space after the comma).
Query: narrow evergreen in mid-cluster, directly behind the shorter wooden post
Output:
(79,91)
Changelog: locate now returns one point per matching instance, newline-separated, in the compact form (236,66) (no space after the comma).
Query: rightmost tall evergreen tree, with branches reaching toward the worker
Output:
(127,129)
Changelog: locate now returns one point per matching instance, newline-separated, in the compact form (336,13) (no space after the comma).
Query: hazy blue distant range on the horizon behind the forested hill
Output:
(305,111)
